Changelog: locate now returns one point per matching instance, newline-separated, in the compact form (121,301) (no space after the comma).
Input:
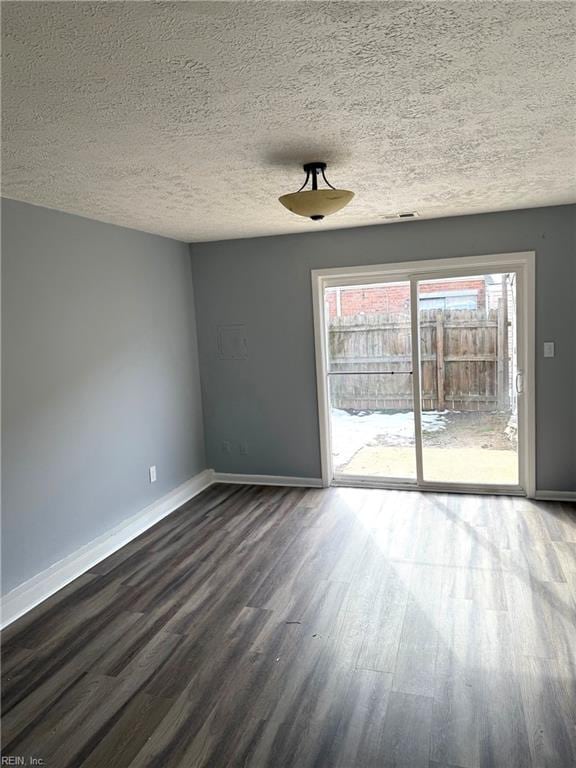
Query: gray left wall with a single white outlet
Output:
(99,380)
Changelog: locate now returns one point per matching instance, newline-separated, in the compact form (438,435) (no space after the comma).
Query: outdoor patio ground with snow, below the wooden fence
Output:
(468,447)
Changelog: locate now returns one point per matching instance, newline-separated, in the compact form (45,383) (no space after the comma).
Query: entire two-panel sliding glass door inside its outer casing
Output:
(424,379)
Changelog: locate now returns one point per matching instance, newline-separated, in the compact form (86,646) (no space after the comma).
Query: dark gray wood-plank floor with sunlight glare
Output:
(276,627)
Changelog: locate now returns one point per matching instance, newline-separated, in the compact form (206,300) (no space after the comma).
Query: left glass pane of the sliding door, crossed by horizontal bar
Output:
(370,380)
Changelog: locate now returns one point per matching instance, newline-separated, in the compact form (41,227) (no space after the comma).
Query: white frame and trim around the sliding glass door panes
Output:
(523,264)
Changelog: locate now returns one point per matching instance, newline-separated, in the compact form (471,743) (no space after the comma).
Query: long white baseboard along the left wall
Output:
(44,584)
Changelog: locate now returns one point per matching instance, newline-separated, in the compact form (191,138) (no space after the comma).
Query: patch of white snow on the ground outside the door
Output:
(351,432)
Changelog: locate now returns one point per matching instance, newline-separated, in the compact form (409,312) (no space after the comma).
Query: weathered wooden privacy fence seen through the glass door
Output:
(464,360)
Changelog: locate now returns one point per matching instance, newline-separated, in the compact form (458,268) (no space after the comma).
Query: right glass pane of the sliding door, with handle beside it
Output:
(468,367)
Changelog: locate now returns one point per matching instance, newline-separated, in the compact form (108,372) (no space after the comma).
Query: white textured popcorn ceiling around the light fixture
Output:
(189,119)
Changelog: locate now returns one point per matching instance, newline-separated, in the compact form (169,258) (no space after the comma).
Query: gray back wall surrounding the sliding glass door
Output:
(269,399)
